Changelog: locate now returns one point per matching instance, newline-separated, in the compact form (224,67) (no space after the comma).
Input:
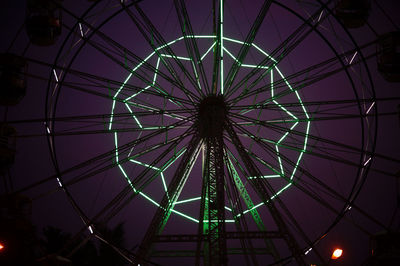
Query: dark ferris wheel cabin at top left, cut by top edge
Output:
(43,21)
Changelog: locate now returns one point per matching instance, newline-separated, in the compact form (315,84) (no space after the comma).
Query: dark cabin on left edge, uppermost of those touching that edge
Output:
(12,79)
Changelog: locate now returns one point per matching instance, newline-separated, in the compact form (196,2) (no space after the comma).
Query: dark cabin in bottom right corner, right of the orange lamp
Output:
(385,249)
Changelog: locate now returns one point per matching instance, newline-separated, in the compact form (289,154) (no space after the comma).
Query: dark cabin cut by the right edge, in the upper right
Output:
(388,51)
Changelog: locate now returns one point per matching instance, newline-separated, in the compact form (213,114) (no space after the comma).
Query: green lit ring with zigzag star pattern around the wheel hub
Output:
(277,143)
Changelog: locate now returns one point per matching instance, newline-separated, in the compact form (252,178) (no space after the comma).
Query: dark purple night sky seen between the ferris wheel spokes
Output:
(92,187)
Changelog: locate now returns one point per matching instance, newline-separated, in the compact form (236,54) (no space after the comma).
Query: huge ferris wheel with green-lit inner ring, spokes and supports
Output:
(219,132)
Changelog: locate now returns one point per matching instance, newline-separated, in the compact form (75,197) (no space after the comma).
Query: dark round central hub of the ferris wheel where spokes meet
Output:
(212,116)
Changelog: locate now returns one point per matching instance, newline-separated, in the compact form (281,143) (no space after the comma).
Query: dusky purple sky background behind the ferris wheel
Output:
(51,206)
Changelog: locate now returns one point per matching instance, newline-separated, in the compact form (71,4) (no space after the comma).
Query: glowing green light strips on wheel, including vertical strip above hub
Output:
(274,70)
